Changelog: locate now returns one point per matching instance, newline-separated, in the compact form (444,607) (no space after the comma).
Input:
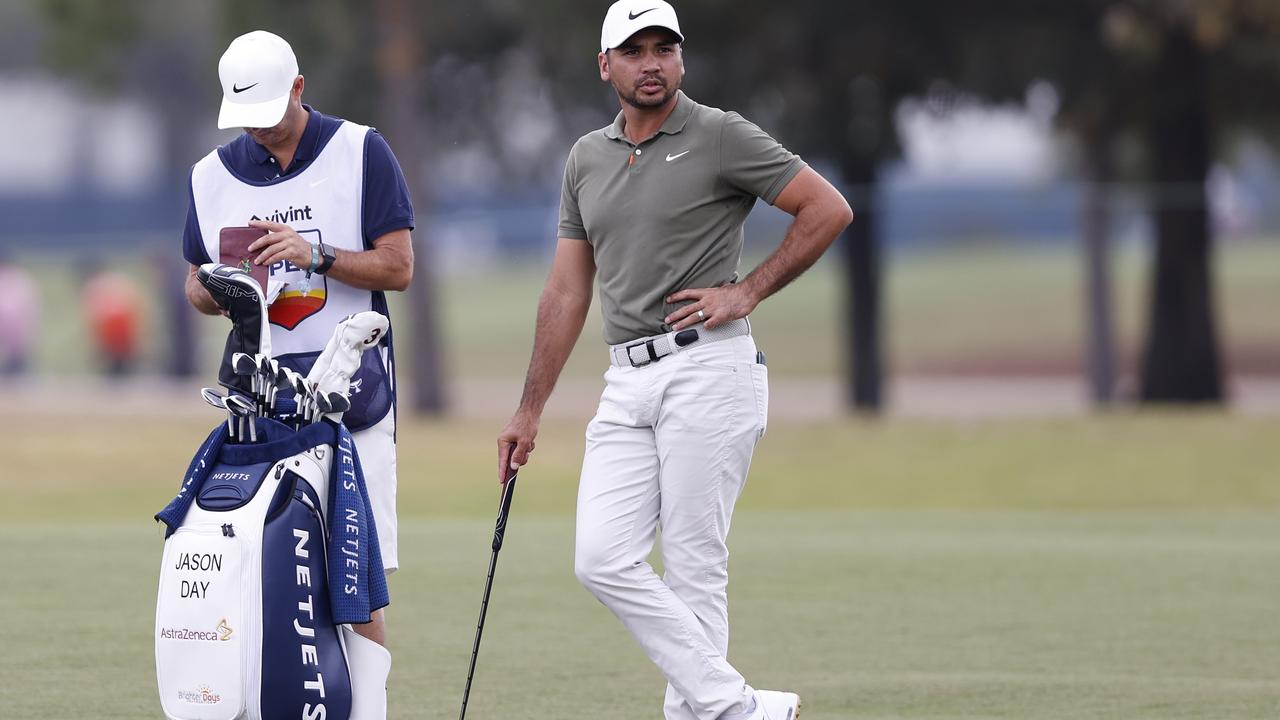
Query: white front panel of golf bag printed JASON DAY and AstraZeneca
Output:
(203,618)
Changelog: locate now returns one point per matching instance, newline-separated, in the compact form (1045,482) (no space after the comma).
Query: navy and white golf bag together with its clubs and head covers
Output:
(271,546)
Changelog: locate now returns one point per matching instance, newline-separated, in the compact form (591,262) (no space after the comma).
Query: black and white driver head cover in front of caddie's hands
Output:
(240,295)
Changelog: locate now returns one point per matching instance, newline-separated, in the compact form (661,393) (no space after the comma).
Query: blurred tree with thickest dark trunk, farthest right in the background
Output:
(1210,69)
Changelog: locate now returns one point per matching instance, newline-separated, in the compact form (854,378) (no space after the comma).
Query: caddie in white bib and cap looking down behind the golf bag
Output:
(337,215)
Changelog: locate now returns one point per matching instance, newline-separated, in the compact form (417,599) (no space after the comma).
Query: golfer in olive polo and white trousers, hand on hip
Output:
(653,208)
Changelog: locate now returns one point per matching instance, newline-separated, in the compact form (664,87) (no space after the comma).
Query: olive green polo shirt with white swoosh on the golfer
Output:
(668,215)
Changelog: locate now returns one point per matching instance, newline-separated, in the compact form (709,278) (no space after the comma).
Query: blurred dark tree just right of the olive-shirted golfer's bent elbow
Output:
(830,76)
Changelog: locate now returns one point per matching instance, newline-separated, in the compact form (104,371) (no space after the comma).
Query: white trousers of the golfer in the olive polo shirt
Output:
(670,446)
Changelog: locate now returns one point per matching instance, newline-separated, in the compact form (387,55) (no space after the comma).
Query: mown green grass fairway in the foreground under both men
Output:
(1119,567)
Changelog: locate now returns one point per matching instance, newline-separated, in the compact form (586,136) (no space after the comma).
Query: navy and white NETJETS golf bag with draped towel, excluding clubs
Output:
(255,585)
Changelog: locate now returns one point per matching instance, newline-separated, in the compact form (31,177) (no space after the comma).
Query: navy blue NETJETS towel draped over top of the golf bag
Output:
(358,582)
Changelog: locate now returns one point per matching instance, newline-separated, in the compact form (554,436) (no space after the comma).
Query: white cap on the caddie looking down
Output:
(258,72)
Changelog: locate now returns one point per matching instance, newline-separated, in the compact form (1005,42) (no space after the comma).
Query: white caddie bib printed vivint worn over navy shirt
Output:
(323,202)
